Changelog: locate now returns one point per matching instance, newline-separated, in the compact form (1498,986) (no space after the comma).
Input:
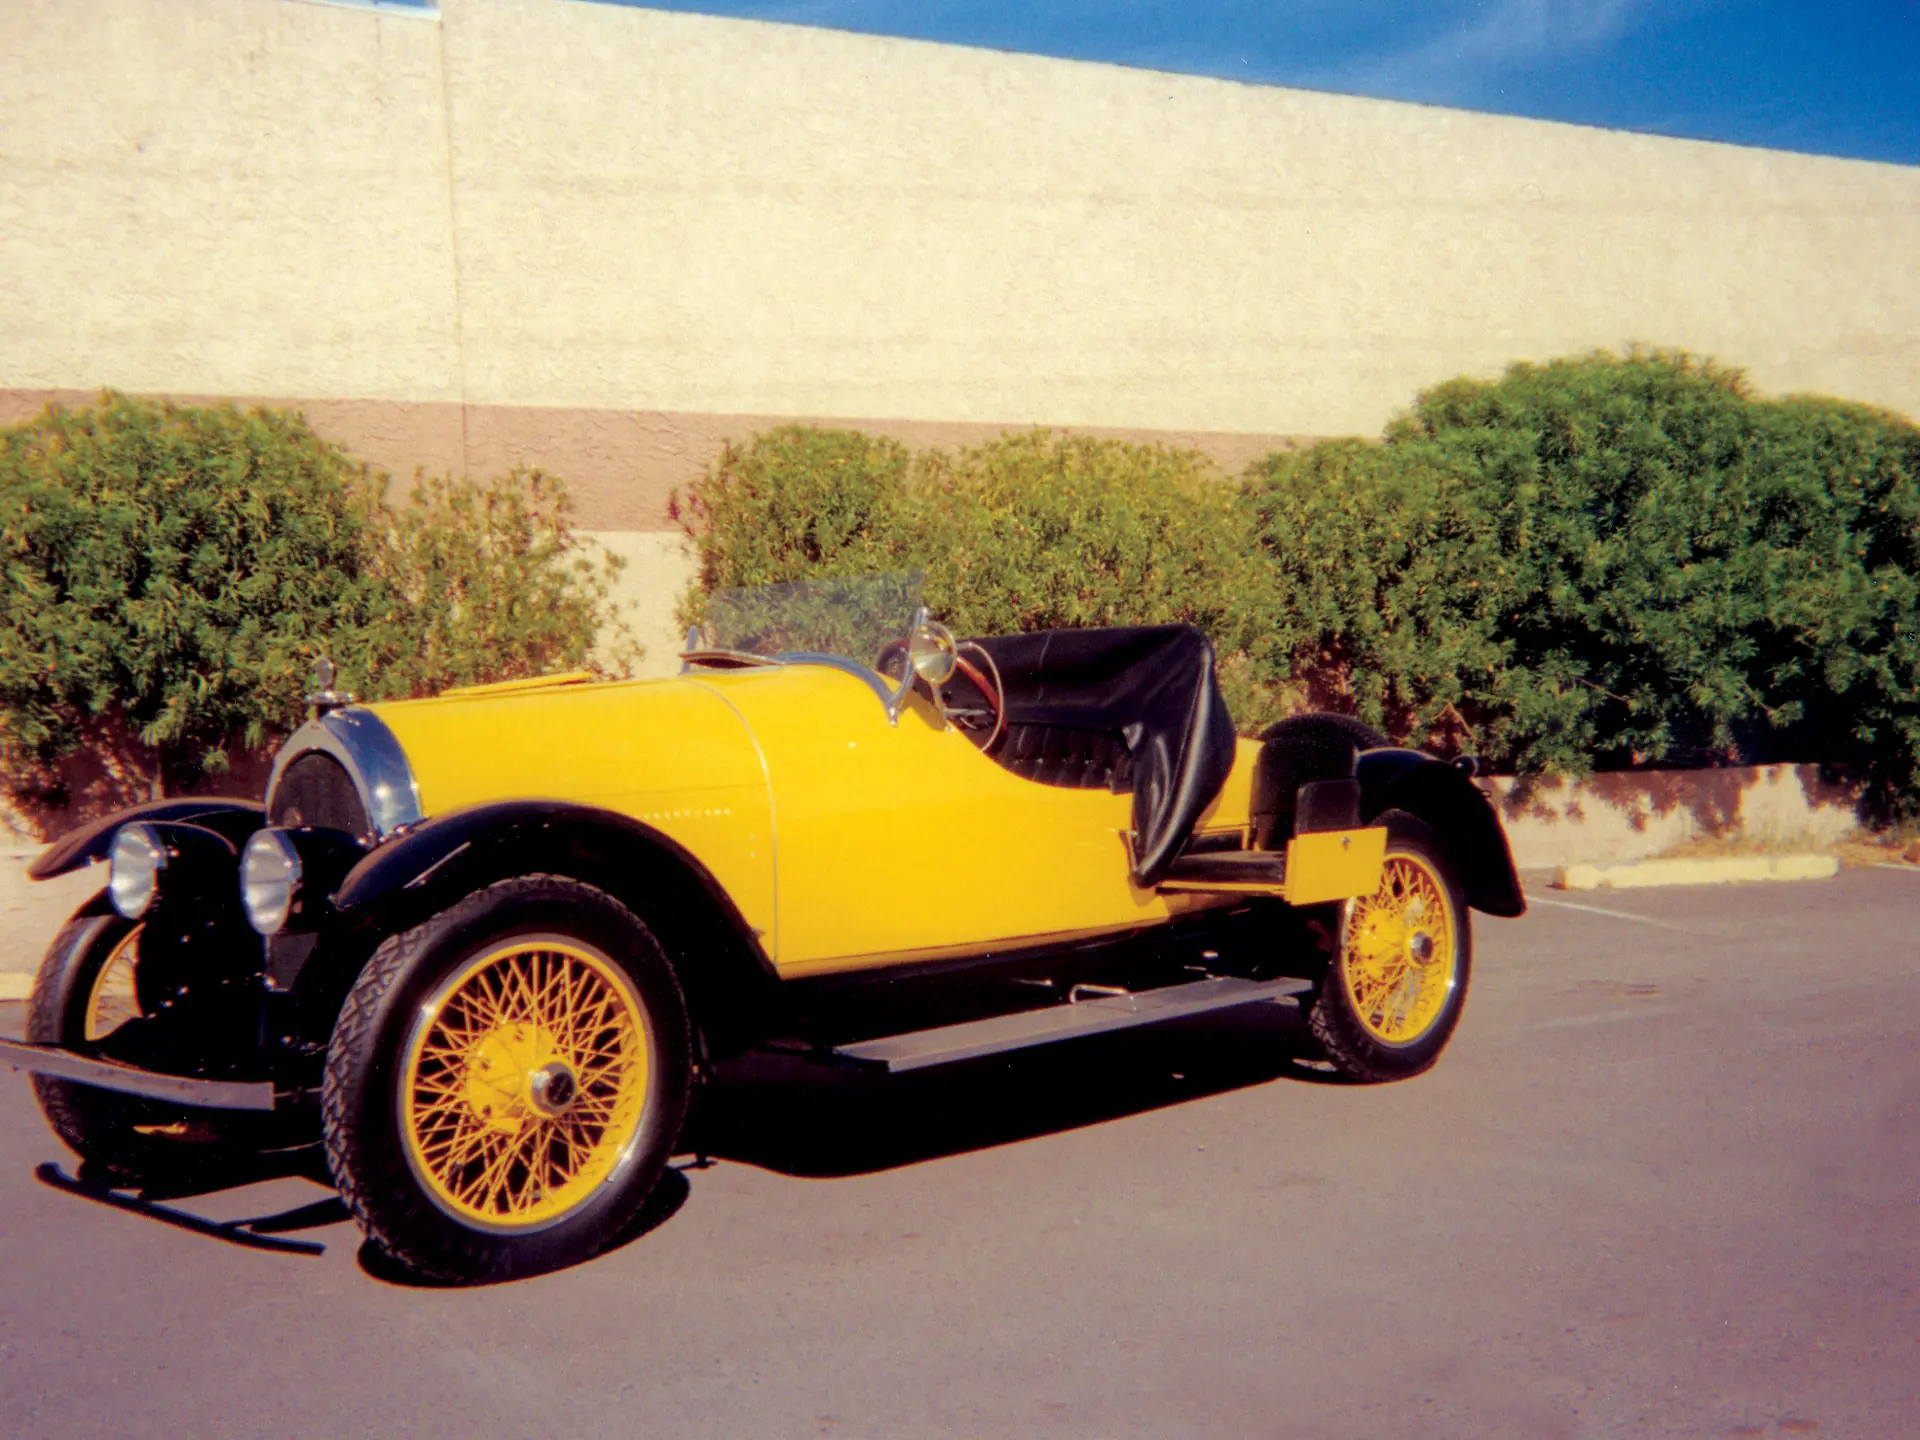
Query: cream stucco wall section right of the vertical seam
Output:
(717,216)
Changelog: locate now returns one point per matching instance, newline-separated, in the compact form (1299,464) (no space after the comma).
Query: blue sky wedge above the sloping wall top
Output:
(1838,78)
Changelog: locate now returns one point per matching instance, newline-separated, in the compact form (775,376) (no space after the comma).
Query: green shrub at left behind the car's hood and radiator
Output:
(172,575)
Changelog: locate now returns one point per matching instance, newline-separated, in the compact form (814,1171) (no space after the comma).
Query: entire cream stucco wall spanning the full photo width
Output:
(554,224)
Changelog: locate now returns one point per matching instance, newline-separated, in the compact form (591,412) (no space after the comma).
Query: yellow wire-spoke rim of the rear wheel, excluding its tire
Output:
(1401,953)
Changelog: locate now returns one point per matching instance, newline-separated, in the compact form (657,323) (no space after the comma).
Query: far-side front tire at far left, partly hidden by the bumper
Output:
(128,1136)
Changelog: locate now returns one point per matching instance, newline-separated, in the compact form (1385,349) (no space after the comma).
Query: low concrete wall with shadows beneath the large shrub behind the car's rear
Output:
(1639,815)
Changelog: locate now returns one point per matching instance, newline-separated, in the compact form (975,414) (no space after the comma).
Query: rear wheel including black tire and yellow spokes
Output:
(1358,1017)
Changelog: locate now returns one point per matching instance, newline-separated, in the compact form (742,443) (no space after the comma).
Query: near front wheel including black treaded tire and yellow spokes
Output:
(379,1097)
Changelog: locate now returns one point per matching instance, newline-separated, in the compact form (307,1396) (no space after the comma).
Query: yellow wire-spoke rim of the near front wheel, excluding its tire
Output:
(527,1080)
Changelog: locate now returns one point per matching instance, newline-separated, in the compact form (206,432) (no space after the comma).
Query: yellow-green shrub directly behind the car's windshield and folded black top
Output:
(1024,533)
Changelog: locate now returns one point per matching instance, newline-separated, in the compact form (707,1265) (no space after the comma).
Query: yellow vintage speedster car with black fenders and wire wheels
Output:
(479,946)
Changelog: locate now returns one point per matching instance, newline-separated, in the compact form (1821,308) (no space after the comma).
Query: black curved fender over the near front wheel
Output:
(715,951)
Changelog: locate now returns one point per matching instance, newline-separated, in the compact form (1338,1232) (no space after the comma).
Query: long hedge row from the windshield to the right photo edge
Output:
(1595,564)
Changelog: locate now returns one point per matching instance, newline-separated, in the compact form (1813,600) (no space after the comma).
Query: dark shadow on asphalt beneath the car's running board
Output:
(798,1118)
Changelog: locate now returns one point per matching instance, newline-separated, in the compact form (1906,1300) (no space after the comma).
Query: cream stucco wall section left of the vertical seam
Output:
(226,197)
